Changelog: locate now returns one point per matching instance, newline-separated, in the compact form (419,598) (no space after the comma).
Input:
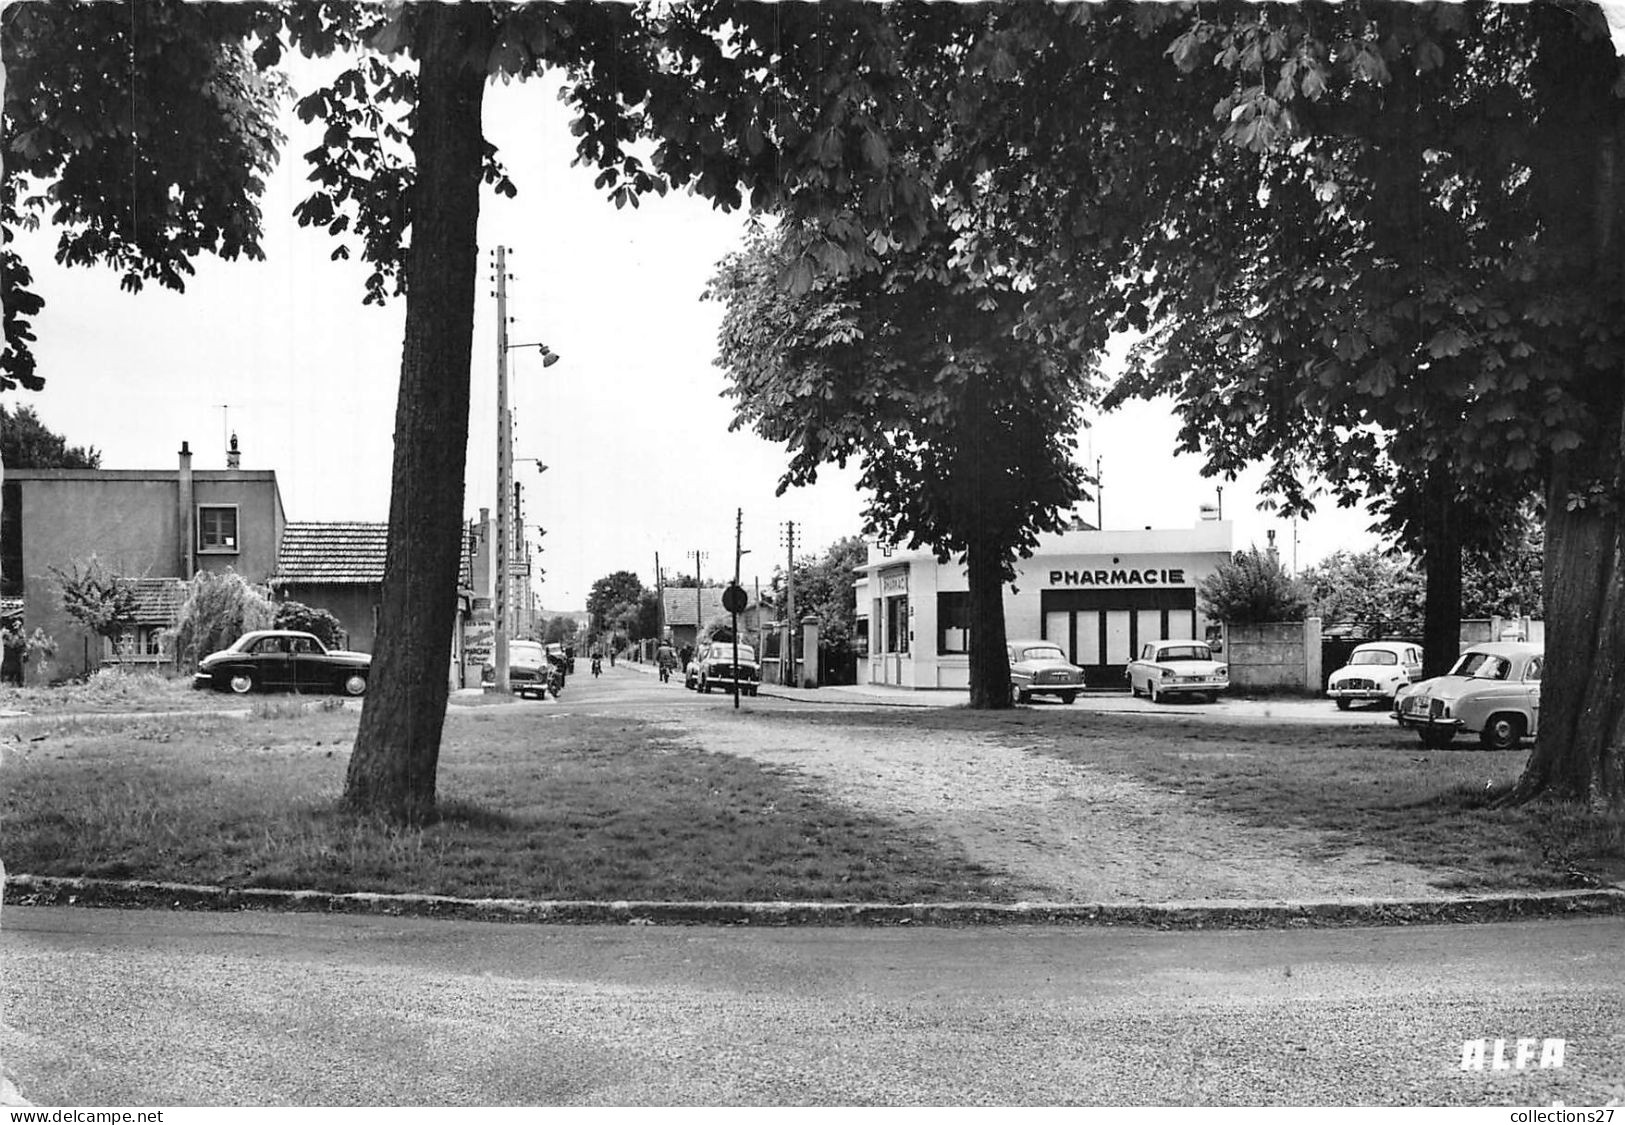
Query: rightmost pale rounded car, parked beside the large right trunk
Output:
(1493,692)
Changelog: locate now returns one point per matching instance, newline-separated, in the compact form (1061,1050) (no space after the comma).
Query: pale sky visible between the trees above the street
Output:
(631,422)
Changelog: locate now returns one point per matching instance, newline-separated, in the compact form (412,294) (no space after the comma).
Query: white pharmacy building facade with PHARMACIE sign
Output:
(1099,596)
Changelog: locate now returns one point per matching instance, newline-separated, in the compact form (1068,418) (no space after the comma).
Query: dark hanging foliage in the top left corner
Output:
(145,134)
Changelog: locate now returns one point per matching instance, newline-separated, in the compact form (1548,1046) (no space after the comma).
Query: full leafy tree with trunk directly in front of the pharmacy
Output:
(964,427)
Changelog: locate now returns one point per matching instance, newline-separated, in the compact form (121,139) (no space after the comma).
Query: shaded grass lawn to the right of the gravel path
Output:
(1359,786)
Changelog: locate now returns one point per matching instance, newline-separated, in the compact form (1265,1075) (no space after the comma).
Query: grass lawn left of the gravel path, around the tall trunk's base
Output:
(532,807)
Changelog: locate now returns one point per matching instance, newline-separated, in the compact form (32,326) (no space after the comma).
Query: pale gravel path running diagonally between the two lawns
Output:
(1059,830)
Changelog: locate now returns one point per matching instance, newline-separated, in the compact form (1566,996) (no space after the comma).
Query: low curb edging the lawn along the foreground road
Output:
(33,890)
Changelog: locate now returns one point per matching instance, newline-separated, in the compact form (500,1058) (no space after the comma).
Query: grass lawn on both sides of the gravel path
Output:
(542,804)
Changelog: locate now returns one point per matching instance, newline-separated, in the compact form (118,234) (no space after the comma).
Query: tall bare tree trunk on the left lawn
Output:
(392,770)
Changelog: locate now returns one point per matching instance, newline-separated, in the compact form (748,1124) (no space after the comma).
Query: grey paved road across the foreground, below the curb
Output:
(142,1009)
